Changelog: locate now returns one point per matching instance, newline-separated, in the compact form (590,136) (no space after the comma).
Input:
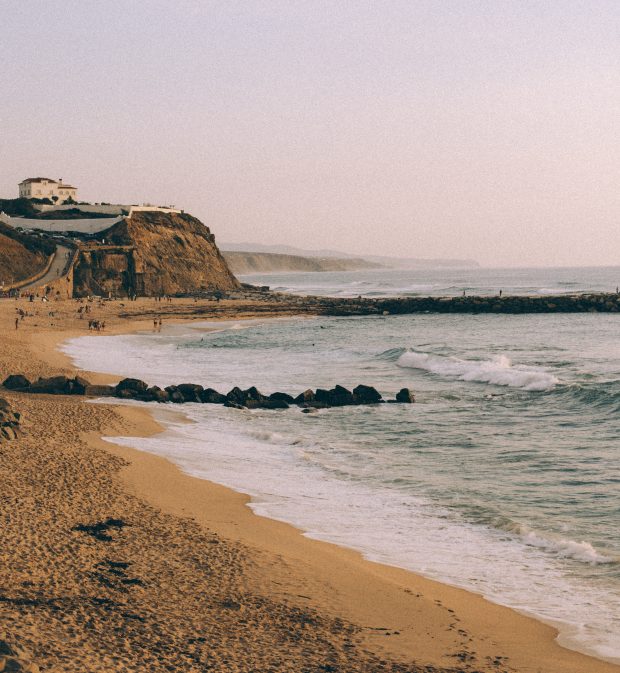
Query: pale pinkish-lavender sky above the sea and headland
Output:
(412,128)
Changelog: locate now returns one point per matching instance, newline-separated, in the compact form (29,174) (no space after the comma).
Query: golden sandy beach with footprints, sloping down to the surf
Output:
(188,578)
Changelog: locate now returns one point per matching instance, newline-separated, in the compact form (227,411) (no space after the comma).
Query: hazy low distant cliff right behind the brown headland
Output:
(264,262)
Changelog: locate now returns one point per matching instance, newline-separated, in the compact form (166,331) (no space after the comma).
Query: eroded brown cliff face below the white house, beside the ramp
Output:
(152,254)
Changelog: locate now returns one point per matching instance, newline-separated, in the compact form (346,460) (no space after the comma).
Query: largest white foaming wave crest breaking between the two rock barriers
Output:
(499,370)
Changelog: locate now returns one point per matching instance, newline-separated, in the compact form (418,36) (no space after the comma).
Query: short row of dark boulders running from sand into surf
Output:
(252,398)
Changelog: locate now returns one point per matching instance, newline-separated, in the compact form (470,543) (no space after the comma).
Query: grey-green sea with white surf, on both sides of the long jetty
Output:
(503,478)
